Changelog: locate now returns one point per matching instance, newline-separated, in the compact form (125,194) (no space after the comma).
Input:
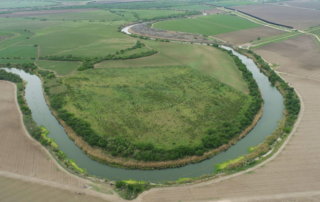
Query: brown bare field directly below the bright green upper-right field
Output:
(248,35)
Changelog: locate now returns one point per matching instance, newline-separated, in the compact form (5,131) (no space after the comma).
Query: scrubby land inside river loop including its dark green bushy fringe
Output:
(120,135)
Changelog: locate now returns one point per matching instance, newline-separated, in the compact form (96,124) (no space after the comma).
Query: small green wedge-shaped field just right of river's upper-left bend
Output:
(60,67)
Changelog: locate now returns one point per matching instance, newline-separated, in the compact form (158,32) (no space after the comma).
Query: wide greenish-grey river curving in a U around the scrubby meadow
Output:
(272,113)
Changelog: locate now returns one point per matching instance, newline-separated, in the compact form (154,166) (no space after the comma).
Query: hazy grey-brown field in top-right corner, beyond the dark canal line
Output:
(295,17)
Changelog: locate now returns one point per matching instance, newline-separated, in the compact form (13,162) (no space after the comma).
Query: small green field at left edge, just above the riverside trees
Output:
(19,51)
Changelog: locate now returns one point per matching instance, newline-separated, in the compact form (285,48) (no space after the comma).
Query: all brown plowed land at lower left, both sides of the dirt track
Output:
(22,158)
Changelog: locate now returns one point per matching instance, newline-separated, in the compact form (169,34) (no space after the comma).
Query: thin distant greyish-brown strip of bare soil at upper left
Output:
(42,12)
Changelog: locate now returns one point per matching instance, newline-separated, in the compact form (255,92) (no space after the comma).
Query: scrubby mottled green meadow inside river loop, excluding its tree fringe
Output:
(166,106)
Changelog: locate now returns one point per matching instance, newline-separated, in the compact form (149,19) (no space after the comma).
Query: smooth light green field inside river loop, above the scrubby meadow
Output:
(209,60)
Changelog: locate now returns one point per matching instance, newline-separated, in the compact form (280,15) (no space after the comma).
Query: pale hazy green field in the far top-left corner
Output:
(24,4)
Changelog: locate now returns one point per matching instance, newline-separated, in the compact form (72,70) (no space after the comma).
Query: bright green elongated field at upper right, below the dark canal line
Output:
(207,25)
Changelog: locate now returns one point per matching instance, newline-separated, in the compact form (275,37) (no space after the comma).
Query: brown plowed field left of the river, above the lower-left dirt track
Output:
(19,152)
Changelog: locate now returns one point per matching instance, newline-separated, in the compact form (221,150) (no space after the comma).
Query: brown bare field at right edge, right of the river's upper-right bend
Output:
(299,56)
